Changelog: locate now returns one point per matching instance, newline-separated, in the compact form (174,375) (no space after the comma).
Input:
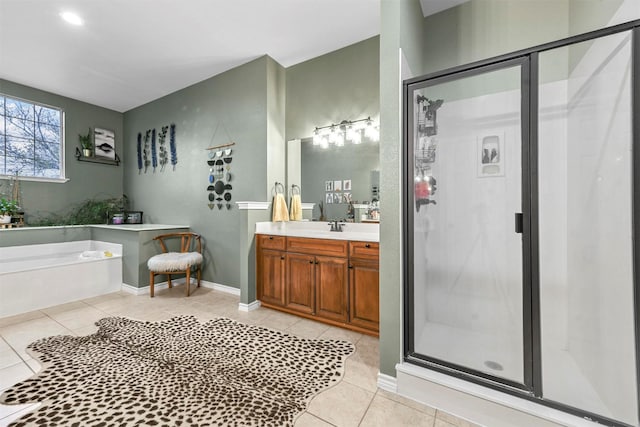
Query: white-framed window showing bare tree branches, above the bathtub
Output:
(31,143)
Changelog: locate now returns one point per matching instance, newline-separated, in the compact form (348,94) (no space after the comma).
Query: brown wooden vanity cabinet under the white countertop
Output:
(334,281)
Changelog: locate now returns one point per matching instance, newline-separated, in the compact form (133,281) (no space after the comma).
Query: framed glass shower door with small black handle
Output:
(466,133)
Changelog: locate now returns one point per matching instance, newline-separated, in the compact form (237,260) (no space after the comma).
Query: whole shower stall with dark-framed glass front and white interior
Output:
(521,218)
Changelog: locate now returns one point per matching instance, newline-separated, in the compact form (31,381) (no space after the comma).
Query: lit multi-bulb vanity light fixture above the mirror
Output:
(347,130)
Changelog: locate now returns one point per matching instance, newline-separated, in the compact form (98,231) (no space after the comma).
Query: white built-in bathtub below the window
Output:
(39,276)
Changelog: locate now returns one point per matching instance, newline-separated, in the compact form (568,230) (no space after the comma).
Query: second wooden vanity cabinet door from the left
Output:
(299,285)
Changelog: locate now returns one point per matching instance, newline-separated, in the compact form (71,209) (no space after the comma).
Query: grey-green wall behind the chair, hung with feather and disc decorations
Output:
(236,101)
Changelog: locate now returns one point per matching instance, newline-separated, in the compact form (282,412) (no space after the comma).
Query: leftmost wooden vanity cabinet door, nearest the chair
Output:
(271,276)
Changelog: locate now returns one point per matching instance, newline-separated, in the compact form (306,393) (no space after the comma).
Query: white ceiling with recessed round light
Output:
(130,52)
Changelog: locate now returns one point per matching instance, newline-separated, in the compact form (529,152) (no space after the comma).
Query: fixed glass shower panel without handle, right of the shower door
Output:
(585,226)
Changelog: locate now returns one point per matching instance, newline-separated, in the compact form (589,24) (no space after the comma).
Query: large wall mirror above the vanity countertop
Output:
(334,176)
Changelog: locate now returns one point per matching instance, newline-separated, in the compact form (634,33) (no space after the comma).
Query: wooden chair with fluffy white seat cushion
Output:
(169,263)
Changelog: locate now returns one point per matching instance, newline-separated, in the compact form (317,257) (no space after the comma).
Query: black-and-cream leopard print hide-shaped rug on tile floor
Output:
(177,372)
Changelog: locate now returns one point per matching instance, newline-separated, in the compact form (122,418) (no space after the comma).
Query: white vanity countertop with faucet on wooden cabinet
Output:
(320,230)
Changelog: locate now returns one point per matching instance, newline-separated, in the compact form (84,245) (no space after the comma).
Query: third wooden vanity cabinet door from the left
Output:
(331,288)
